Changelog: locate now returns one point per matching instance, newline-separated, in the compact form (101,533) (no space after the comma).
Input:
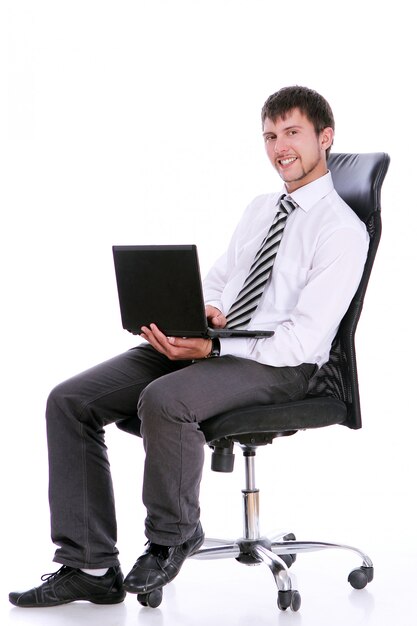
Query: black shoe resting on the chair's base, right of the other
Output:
(158,565)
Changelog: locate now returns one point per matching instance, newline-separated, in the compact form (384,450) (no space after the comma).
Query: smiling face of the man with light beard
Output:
(295,150)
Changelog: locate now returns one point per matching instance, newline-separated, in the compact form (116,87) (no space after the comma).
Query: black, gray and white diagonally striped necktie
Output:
(249,296)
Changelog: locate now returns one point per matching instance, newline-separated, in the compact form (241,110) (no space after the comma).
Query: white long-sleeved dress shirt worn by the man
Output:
(317,270)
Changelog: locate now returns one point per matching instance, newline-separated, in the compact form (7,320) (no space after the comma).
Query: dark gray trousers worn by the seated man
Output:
(170,398)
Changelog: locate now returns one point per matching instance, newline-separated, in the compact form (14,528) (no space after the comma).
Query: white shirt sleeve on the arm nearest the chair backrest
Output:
(330,286)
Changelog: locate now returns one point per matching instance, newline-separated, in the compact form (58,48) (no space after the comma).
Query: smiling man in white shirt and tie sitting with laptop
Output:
(296,277)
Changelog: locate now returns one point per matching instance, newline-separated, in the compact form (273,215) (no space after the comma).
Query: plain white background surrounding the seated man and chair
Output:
(139,122)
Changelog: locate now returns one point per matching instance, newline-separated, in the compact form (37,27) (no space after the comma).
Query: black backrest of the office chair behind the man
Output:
(358,179)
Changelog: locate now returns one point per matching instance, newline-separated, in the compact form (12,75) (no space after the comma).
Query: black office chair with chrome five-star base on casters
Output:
(333,398)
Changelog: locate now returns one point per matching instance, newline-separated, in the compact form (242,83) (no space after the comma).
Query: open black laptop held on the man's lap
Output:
(162,284)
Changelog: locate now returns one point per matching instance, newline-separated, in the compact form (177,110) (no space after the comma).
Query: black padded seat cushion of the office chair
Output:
(275,419)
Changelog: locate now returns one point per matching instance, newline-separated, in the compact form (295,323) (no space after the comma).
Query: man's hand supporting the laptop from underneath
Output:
(176,348)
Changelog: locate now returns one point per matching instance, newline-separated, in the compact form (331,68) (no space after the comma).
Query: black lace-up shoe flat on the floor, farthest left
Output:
(69,584)
